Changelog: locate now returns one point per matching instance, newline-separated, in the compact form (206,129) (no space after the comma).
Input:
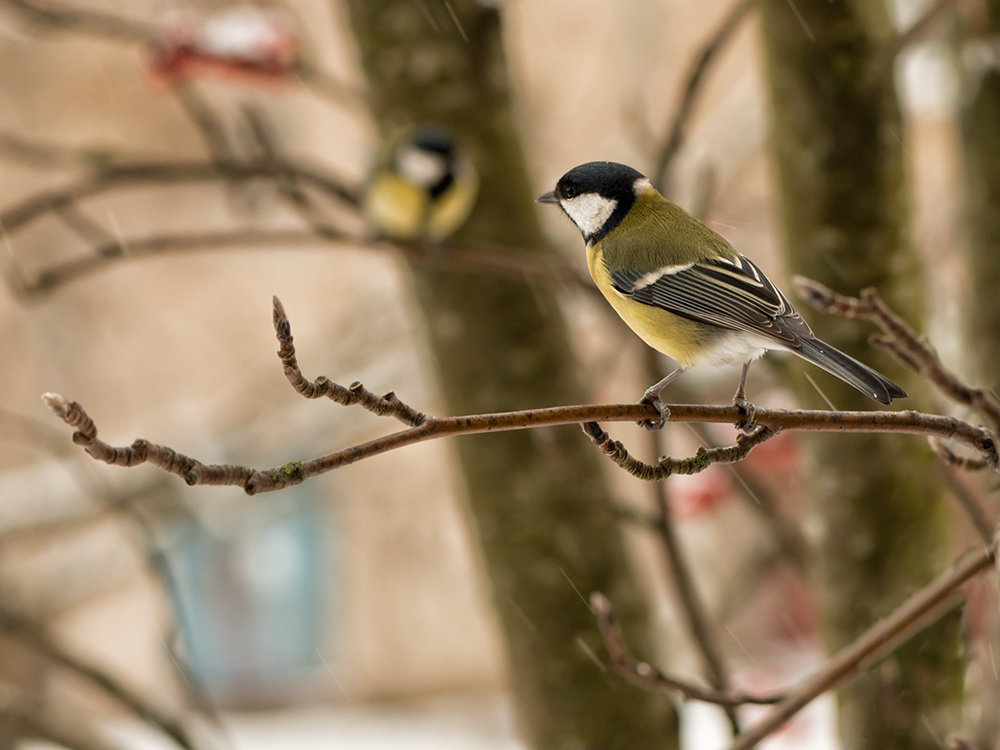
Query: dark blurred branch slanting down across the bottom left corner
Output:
(30,634)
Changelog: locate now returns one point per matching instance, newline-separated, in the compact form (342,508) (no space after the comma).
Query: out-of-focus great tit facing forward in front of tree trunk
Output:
(422,186)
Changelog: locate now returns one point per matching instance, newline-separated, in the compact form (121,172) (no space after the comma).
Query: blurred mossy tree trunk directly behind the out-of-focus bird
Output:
(537,498)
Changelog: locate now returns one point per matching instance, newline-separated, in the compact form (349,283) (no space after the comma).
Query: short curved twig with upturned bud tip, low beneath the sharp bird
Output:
(648,677)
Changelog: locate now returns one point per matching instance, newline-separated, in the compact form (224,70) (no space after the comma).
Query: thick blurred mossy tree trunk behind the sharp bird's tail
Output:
(836,136)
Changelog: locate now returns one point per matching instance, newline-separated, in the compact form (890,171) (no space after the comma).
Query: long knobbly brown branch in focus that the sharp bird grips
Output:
(254,480)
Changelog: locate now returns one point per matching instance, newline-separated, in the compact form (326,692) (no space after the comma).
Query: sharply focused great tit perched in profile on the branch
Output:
(683,288)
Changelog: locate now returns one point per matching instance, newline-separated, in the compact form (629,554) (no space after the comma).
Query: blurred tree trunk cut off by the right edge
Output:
(980,147)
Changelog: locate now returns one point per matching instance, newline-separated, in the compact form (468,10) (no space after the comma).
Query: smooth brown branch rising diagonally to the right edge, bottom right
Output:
(858,654)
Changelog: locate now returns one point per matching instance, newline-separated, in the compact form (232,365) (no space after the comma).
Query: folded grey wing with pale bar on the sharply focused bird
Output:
(730,293)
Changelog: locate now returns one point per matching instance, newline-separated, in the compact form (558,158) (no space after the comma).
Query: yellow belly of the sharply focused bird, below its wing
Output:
(679,338)
